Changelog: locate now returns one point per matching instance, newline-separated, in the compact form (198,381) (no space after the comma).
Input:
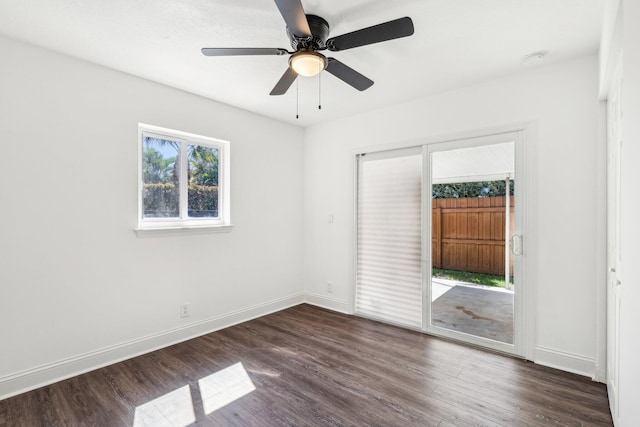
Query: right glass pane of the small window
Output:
(203,181)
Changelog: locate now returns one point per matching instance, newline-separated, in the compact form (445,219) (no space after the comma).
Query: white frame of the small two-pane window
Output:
(184,223)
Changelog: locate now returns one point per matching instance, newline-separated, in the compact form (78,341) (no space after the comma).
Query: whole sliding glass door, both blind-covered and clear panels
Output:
(439,239)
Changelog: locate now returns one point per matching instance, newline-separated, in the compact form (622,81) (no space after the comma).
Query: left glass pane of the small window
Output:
(161,170)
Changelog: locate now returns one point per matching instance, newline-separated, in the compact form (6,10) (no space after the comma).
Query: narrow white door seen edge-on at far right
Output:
(614,135)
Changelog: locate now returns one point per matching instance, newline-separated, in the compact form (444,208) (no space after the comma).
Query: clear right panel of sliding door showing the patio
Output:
(473,216)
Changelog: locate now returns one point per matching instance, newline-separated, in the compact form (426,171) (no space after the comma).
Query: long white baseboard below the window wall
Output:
(20,382)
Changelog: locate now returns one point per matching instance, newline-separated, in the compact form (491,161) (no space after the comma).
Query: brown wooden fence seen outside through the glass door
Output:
(469,234)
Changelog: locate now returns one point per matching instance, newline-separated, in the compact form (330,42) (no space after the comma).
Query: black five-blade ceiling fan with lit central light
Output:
(309,36)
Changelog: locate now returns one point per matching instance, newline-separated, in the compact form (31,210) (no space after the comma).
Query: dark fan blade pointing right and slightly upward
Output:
(396,29)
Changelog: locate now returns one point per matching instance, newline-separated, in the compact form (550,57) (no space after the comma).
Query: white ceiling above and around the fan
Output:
(456,43)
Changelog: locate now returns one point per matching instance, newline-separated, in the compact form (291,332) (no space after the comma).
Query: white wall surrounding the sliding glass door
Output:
(562,265)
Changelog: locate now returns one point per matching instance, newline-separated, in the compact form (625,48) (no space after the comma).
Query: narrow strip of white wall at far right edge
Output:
(629,389)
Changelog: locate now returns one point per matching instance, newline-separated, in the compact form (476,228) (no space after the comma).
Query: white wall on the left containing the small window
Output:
(75,282)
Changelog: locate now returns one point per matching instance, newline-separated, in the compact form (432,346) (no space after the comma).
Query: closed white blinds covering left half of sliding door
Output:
(389,271)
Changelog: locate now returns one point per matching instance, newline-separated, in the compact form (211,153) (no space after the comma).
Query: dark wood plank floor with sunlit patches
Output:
(314,367)
